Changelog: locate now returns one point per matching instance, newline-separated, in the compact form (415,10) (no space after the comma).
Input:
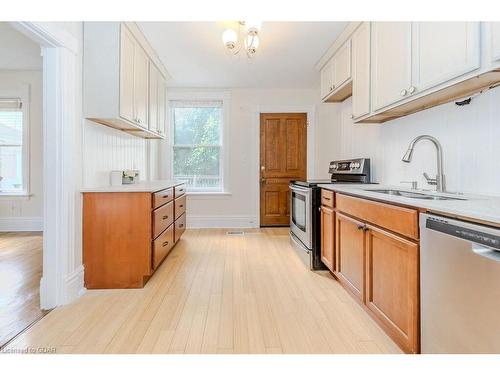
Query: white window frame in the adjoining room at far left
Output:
(22,94)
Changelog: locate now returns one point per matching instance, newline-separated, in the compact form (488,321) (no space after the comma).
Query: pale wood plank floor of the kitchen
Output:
(217,293)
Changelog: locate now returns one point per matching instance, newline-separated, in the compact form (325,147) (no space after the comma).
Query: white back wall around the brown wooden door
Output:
(241,208)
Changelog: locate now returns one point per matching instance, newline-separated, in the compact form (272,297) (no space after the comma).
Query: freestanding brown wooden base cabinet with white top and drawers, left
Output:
(128,231)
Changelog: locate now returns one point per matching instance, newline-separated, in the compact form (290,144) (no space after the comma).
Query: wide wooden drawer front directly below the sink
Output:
(394,218)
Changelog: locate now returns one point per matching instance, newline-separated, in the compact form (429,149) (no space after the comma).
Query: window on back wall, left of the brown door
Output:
(197,144)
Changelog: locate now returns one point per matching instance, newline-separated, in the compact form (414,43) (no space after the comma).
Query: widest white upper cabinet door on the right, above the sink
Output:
(443,51)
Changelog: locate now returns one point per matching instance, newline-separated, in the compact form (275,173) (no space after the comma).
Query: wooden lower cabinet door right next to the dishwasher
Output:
(392,286)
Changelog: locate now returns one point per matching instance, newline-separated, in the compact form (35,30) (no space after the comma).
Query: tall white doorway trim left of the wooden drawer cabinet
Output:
(62,278)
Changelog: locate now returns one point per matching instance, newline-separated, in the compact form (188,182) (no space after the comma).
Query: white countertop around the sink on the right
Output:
(482,208)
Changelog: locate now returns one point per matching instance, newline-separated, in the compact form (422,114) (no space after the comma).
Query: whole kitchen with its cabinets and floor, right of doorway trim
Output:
(365,187)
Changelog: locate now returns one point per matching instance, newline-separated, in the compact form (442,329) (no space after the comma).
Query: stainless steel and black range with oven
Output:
(305,201)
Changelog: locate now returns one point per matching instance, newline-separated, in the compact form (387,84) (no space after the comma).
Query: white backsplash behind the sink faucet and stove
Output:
(469,136)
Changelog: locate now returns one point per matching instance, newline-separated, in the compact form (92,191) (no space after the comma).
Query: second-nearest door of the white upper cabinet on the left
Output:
(141,74)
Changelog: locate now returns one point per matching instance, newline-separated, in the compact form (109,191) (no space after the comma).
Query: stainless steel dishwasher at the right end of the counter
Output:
(459,286)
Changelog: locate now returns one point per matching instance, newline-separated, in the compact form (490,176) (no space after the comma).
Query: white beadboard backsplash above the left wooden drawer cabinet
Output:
(106,149)
